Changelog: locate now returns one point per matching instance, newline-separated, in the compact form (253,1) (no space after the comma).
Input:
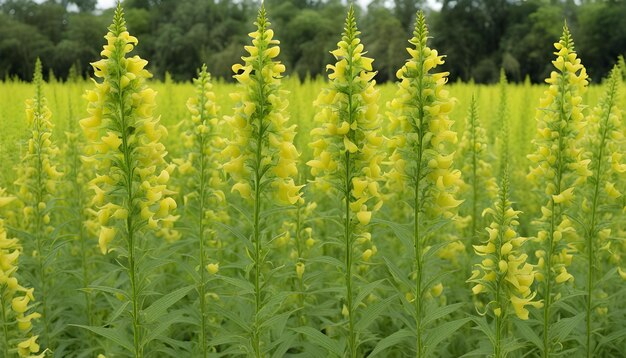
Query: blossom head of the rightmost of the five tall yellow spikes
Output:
(559,162)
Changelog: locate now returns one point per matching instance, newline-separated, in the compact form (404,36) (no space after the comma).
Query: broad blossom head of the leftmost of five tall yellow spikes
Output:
(125,148)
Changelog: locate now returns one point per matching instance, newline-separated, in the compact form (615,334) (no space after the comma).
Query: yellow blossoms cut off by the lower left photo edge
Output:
(11,291)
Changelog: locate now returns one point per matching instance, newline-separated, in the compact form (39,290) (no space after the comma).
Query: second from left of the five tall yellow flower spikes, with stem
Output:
(260,157)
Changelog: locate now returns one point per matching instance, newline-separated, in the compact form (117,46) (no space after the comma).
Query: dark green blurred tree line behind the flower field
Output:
(478,36)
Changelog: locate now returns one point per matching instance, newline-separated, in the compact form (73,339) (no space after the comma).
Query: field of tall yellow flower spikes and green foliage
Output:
(331,217)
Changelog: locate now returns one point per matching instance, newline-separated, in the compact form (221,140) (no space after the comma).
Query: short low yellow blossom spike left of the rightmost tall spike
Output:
(504,273)
